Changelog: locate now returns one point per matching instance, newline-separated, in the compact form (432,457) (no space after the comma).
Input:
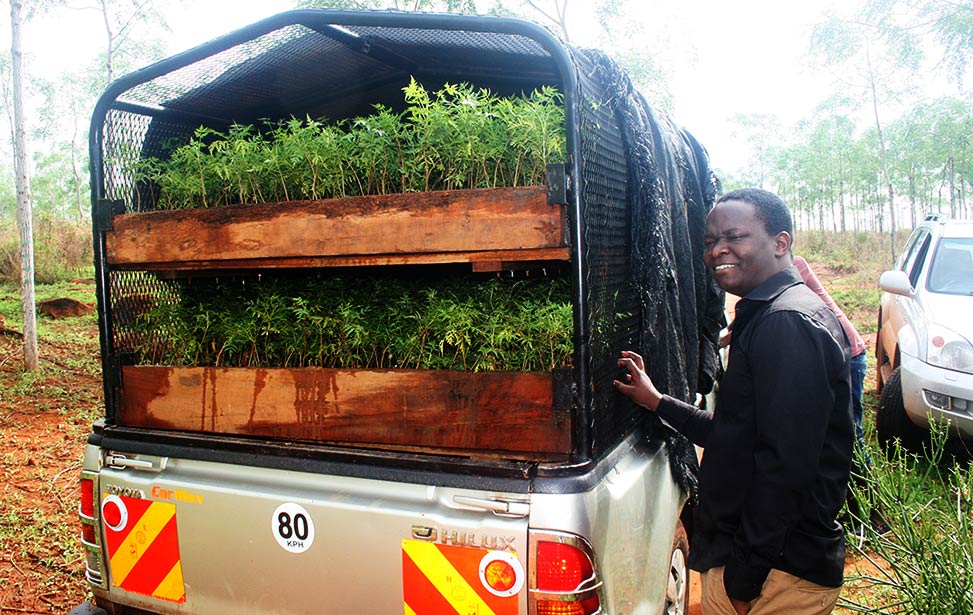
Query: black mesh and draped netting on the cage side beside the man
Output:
(646,189)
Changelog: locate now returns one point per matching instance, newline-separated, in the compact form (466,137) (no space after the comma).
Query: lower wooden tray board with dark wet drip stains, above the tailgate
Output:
(494,411)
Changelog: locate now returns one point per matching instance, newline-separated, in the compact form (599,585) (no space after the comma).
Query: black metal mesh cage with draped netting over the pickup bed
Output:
(638,187)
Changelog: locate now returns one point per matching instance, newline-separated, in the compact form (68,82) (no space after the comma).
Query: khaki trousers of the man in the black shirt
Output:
(782,594)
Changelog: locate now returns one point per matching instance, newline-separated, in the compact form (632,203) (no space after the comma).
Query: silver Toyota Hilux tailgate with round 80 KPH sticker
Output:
(188,536)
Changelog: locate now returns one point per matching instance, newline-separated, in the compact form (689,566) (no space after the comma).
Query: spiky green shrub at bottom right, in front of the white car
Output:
(925,558)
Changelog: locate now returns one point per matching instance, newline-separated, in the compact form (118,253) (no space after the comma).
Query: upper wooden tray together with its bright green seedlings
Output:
(458,176)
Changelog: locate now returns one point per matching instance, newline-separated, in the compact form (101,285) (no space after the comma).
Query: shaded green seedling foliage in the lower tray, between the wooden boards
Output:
(337,322)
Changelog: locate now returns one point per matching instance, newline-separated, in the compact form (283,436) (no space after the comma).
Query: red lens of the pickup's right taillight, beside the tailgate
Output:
(563,568)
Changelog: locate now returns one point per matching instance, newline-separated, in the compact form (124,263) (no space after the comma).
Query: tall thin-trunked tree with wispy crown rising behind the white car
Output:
(876,68)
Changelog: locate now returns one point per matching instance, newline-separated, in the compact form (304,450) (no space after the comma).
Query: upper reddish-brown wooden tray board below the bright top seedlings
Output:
(454,221)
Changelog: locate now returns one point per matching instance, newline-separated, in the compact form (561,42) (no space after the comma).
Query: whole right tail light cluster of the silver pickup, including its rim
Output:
(563,579)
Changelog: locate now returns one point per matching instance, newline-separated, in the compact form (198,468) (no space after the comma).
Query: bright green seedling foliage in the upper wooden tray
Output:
(457,137)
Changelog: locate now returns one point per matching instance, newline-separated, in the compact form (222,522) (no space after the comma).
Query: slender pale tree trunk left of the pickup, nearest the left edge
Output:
(21,164)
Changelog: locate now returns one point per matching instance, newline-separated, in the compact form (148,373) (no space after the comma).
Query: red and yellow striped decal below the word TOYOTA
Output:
(143,551)
